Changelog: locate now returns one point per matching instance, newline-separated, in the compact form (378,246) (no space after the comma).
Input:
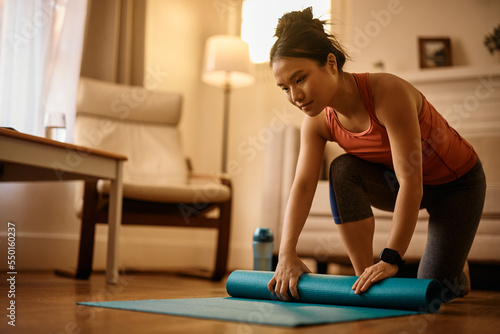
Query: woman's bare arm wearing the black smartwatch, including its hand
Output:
(397,106)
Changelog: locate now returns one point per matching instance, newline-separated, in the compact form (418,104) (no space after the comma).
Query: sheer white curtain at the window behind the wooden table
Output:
(40,54)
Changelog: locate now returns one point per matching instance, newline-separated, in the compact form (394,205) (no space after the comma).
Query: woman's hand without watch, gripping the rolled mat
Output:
(286,277)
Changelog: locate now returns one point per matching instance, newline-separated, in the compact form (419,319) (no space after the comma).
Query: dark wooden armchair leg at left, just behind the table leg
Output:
(87,234)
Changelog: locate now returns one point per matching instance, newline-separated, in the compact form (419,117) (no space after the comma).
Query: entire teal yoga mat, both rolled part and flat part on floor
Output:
(324,299)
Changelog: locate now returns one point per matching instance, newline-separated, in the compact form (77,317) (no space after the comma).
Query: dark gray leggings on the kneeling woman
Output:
(454,208)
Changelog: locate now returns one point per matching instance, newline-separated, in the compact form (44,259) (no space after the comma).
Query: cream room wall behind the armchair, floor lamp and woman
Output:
(176,31)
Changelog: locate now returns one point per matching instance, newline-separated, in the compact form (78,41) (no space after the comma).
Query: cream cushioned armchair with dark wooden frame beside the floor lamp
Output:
(158,186)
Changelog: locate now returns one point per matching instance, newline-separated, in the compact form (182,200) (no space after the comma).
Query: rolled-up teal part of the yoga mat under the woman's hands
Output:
(391,293)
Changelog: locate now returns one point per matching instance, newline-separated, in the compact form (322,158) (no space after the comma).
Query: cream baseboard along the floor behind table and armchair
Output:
(49,251)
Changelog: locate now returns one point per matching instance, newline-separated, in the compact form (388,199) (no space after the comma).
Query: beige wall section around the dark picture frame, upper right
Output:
(388,31)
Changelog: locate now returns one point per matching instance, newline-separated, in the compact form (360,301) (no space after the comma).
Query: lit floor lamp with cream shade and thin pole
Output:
(227,65)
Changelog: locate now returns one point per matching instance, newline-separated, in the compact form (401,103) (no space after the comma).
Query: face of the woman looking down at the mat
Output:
(307,85)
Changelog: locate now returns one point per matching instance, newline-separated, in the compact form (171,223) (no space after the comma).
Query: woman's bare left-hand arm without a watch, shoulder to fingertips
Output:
(290,267)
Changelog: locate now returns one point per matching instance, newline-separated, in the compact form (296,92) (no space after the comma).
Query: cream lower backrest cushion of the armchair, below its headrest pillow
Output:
(154,151)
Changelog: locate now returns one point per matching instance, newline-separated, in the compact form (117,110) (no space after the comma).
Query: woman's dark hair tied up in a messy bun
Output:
(302,36)
